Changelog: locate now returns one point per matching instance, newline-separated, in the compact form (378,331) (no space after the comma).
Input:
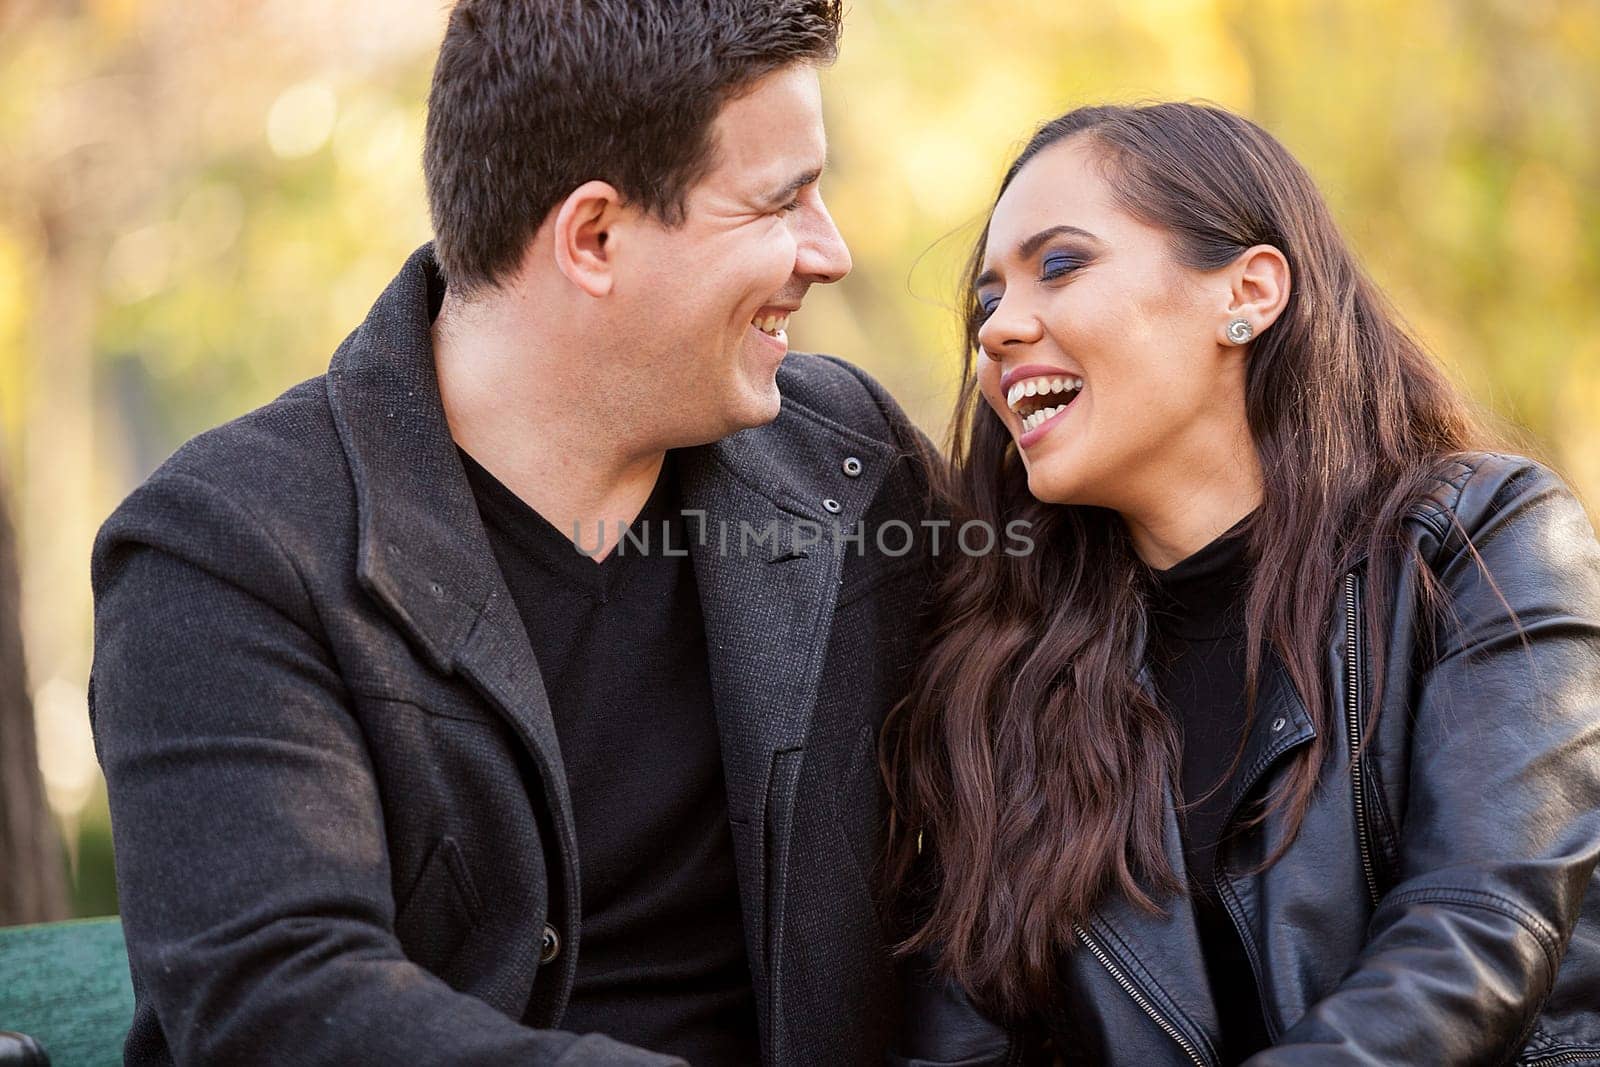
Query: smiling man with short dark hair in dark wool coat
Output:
(401,777)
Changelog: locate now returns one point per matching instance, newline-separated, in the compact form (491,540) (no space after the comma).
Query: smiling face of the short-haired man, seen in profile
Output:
(708,302)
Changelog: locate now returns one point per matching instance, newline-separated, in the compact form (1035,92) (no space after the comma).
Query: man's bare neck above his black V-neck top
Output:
(526,417)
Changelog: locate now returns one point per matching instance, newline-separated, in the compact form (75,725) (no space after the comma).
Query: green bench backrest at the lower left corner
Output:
(65,986)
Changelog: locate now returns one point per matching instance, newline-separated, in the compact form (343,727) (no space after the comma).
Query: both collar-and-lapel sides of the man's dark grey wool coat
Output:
(425,557)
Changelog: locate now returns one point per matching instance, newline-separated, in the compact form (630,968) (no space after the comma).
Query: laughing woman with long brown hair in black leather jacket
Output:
(1284,745)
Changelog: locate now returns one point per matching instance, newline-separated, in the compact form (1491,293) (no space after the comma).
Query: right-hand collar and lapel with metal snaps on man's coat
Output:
(769,613)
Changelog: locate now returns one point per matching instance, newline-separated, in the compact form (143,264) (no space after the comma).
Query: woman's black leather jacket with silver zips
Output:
(1441,905)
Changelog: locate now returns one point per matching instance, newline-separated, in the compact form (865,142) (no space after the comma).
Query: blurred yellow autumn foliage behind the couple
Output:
(199,201)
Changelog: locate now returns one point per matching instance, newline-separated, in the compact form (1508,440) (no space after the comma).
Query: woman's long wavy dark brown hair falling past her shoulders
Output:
(1028,757)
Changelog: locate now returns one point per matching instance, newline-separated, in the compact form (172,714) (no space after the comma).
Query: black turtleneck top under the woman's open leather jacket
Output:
(1199,668)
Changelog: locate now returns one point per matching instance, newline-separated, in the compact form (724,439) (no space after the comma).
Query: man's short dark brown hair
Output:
(534,98)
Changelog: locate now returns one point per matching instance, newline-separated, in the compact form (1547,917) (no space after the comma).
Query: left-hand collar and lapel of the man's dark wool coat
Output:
(423,553)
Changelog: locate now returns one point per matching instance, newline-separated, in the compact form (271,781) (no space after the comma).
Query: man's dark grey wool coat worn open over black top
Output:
(342,821)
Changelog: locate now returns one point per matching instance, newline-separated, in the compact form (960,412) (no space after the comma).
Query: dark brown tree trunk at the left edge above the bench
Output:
(33,879)
